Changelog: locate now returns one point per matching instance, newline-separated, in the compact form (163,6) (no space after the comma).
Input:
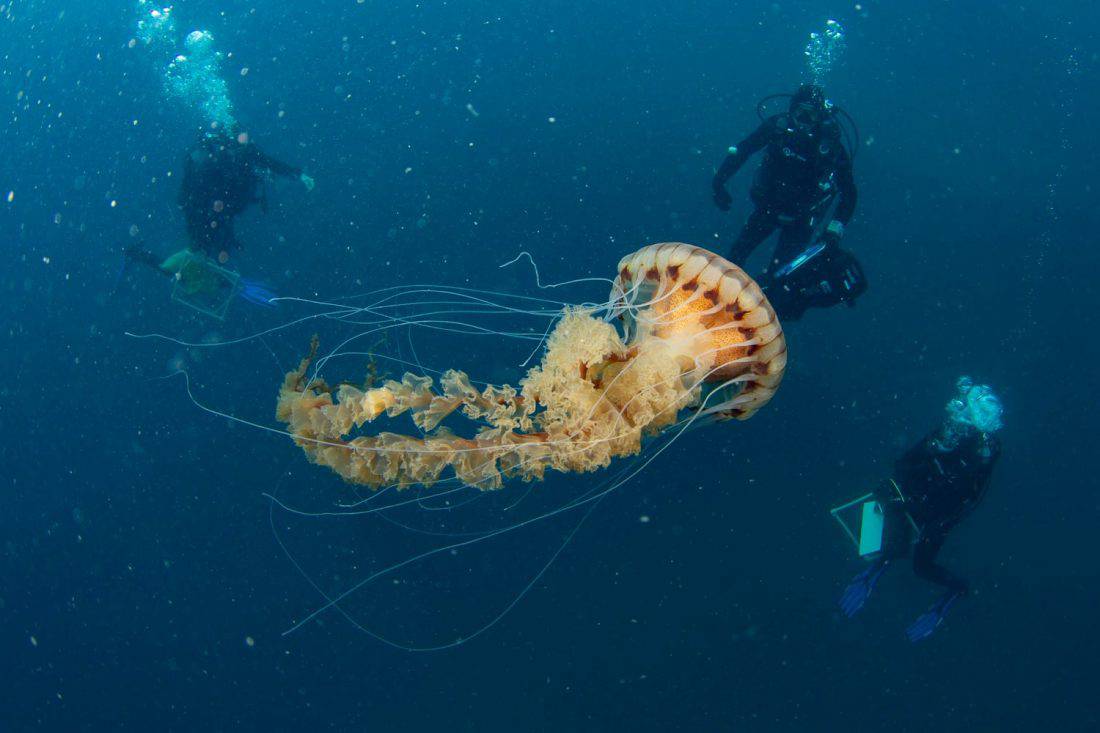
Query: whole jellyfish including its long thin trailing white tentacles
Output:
(684,340)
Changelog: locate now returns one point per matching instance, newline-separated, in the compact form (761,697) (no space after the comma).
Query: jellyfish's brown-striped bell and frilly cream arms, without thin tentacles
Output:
(685,336)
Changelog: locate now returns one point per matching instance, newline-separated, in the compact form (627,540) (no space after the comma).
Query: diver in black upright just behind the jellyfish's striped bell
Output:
(805,188)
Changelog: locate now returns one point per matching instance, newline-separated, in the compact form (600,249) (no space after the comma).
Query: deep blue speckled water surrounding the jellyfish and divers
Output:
(139,556)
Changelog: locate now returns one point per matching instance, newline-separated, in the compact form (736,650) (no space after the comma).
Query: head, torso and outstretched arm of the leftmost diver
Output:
(223,178)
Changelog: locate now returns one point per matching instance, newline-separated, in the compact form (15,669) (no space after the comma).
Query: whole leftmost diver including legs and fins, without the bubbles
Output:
(223,177)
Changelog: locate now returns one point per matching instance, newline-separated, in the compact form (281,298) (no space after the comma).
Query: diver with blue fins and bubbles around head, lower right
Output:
(937,484)
